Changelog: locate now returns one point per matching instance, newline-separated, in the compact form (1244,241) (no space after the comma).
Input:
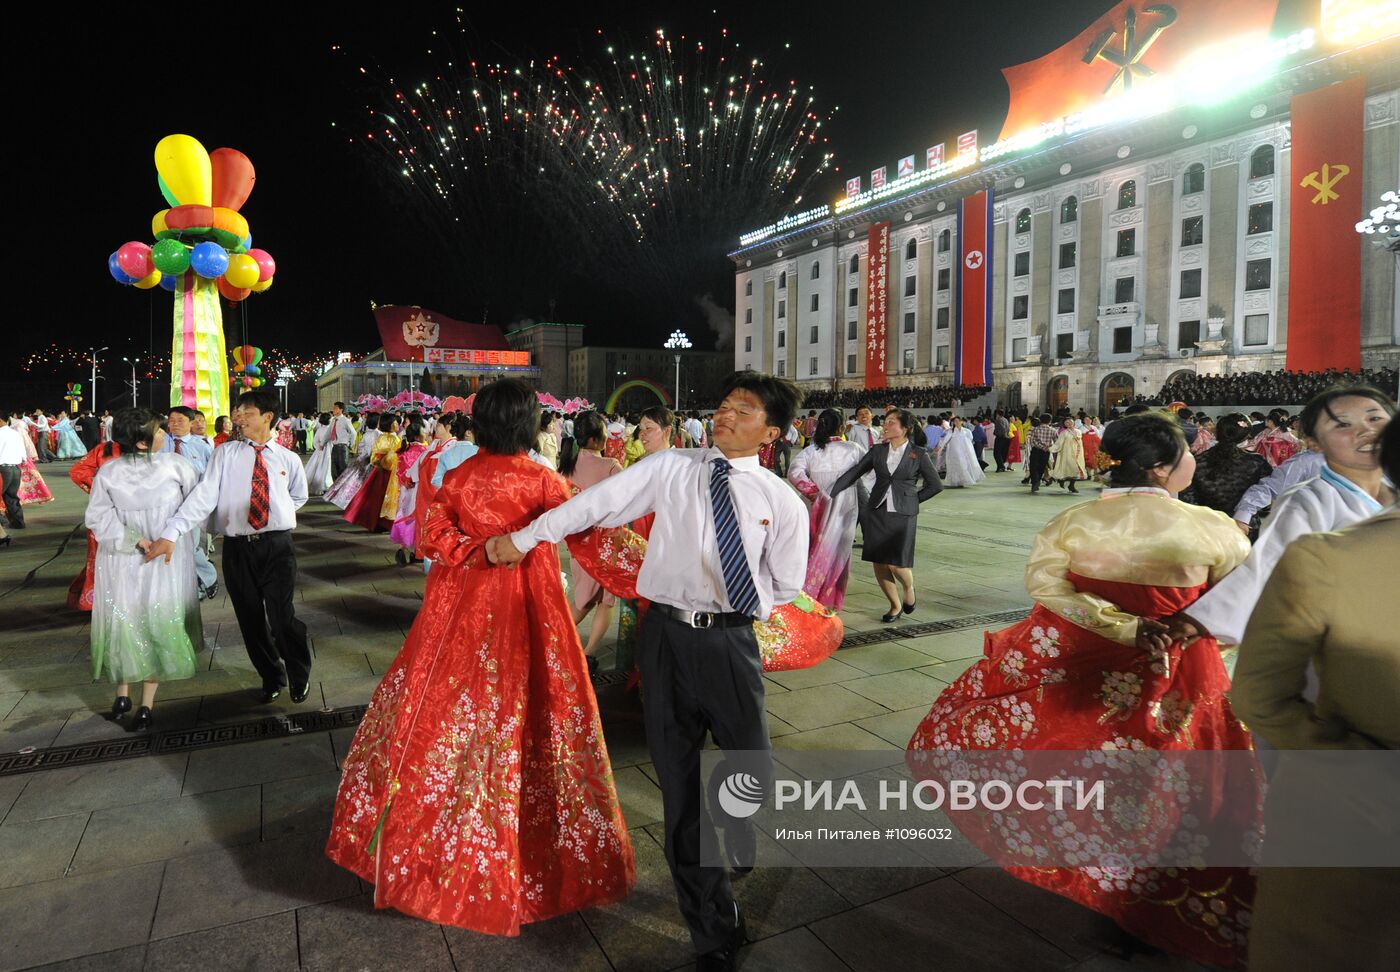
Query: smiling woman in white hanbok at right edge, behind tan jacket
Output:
(1346,425)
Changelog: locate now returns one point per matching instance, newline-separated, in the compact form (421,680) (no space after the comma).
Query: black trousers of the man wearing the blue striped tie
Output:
(698,681)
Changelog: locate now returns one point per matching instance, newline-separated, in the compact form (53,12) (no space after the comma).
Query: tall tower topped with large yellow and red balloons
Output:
(202,250)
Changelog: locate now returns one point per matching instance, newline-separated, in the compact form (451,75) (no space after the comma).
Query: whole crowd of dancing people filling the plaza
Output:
(1175,611)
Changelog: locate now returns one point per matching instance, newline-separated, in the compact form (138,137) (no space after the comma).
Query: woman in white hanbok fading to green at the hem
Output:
(146,625)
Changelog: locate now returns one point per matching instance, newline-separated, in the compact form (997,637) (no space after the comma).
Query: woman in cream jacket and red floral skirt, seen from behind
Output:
(1093,669)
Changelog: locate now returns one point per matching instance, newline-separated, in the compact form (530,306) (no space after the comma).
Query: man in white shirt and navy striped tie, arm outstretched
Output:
(729,543)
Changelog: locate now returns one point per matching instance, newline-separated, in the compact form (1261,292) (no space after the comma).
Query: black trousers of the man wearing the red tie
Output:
(261,576)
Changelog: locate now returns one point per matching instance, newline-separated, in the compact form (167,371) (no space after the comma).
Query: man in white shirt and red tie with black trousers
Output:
(254,488)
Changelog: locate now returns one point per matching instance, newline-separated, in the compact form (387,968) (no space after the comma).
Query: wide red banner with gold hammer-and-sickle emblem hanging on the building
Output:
(1324,247)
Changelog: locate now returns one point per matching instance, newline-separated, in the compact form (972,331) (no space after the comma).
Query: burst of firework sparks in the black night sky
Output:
(636,163)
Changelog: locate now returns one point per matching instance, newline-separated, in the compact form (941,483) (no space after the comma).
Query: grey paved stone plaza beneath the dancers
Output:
(209,854)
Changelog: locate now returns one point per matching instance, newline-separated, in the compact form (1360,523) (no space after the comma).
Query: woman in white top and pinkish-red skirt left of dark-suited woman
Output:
(834,520)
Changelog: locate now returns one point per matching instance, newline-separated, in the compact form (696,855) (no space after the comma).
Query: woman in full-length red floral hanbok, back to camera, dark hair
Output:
(478,791)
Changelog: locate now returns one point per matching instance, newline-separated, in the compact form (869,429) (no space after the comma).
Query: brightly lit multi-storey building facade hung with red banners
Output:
(1153,212)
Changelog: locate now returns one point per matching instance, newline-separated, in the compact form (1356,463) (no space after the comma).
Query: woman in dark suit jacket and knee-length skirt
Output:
(905,477)
